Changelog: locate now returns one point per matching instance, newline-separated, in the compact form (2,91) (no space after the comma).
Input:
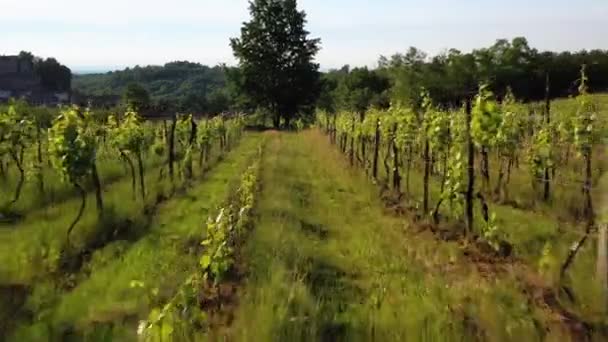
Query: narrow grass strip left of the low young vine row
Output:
(125,280)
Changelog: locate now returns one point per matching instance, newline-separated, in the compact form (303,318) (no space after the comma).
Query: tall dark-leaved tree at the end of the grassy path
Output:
(276,59)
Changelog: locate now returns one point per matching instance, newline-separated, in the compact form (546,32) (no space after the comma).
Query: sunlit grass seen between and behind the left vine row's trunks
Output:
(38,241)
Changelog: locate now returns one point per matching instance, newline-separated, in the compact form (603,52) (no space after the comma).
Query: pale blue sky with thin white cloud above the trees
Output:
(111,34)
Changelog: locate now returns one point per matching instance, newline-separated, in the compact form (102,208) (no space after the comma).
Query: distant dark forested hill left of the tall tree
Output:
(183,84)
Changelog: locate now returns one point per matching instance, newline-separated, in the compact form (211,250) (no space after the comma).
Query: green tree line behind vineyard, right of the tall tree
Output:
(452,75)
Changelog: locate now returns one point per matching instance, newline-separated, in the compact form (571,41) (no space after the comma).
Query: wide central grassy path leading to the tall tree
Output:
(327,263)
